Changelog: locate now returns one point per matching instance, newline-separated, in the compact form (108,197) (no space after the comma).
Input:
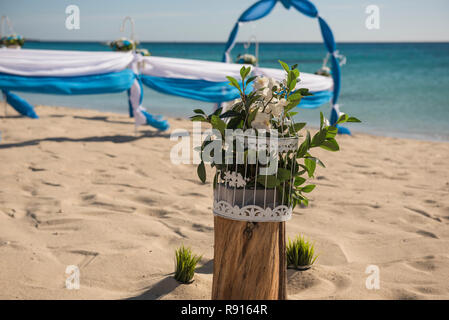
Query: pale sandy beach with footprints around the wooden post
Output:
(78,187)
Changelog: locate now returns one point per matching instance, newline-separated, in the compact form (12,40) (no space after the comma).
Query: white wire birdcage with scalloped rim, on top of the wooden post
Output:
(240,192)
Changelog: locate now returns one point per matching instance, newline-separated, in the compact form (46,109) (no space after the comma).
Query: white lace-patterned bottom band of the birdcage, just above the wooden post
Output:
(252,212)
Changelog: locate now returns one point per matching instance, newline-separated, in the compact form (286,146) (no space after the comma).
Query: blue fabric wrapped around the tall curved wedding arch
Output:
(262,8)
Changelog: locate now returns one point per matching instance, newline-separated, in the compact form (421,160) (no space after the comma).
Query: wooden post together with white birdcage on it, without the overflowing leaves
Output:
(250,209)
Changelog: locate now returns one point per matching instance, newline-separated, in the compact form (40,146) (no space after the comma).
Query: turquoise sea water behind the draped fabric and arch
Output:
(399,89)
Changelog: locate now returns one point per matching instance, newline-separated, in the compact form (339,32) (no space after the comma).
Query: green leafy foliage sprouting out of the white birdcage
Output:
(291,175)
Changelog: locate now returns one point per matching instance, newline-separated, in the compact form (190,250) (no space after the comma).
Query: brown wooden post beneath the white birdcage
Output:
(249,260)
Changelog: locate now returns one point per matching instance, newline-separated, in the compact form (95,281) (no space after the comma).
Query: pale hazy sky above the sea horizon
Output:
(212,20)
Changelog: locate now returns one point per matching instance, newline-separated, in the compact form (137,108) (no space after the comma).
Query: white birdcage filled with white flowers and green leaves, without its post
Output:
(266,110)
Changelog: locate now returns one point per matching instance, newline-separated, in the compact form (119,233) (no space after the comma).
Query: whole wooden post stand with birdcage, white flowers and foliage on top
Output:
(262,160)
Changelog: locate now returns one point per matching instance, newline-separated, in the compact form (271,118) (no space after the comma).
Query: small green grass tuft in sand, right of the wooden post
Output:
(300,253)
